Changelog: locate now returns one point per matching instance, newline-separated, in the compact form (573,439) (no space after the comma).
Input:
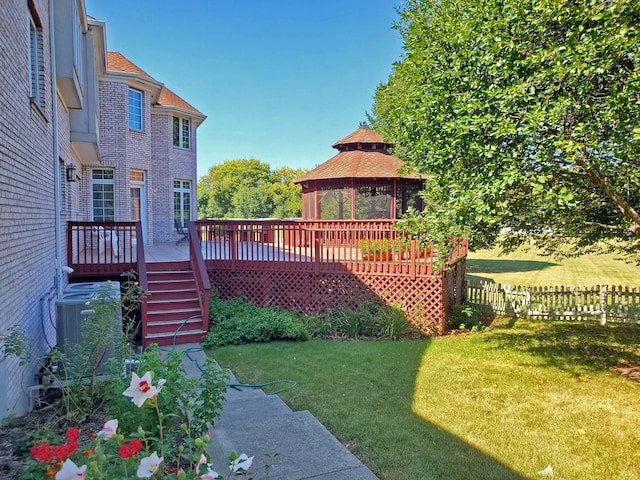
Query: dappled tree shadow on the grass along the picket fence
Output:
(575,347)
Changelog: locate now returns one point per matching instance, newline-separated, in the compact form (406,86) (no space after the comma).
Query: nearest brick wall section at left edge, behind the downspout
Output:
(27,210)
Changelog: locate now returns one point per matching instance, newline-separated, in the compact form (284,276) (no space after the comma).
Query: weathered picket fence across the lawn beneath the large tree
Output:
(606,303)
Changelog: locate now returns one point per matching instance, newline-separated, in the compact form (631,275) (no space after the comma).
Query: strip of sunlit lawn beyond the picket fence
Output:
(531,269)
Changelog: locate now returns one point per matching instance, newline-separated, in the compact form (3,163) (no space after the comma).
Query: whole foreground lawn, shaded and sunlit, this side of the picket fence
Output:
(503,404)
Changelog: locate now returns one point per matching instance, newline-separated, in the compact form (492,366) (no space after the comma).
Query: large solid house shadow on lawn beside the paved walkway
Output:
(367,404)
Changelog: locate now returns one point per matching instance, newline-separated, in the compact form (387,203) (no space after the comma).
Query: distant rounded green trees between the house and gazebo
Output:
(248,188)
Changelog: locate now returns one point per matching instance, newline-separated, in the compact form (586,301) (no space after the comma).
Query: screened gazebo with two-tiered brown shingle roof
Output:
(361,182)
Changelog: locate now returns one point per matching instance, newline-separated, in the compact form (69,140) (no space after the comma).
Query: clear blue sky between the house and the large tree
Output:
(279,80)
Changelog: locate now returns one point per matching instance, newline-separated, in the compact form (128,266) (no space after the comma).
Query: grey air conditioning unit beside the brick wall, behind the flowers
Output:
(72,311)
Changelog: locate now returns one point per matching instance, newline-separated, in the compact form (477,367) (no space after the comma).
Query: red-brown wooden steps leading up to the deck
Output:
(173,312)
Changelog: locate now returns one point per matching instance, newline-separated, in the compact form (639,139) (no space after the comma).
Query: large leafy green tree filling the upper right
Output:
(523,116)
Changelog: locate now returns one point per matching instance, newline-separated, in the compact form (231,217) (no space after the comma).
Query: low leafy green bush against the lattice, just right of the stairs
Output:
(234,322)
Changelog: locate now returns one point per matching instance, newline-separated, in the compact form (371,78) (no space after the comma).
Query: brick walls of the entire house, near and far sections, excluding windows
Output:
(30,166)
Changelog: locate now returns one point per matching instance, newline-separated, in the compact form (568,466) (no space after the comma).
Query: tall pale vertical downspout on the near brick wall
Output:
(56,149)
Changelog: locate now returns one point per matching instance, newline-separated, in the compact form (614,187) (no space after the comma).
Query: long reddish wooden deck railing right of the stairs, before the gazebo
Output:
(324,246)
